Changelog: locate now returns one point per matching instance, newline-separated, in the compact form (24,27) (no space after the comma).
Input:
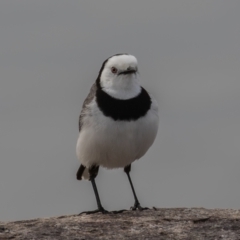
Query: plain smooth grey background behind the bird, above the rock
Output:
(50,54)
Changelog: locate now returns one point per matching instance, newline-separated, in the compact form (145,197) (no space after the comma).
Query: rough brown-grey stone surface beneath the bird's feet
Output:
(175,223)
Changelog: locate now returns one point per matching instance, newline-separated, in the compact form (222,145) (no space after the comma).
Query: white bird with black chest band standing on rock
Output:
(118,122)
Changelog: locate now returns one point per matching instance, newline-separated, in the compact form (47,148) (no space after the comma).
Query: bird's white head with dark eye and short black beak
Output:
(118,76)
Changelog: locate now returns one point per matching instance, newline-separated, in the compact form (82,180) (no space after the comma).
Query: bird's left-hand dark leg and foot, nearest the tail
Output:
(93,171)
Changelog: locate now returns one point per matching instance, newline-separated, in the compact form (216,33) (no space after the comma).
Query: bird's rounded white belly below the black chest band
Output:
(114,144)
